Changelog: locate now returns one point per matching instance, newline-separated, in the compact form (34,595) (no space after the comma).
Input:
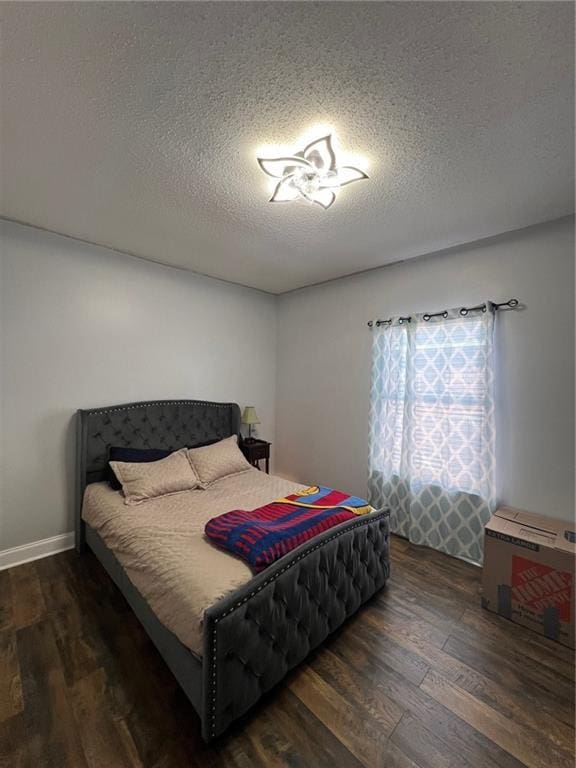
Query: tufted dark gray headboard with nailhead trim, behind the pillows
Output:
(168,424)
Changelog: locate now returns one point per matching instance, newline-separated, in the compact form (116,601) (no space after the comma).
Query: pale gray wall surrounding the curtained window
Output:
(324,362)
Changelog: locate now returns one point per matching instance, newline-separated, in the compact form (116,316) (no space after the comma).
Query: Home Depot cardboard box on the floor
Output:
(528,573)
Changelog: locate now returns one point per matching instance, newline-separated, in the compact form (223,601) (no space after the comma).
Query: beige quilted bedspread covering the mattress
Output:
(162,548)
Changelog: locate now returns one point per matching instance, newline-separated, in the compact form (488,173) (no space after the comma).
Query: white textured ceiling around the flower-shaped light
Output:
(136,125)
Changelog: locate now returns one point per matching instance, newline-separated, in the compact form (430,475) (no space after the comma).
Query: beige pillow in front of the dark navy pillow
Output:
(147,480)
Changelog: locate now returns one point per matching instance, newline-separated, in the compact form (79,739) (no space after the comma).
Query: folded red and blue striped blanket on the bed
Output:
(263,535)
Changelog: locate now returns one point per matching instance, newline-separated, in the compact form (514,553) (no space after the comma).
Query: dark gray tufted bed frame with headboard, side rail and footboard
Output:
(254,636)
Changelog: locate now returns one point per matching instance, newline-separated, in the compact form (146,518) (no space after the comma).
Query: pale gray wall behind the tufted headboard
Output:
(81,327)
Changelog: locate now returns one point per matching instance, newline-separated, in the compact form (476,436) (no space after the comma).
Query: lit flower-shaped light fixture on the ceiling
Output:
(311,175)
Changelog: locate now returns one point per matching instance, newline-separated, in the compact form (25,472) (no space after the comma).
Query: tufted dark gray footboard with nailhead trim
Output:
(253,637)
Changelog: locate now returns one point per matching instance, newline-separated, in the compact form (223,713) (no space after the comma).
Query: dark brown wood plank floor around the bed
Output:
(421,677)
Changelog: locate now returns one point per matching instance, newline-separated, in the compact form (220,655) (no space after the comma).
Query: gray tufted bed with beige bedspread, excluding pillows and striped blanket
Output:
(227,636)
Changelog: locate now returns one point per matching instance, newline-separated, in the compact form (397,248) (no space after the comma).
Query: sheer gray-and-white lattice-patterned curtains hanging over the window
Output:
(432,428)
